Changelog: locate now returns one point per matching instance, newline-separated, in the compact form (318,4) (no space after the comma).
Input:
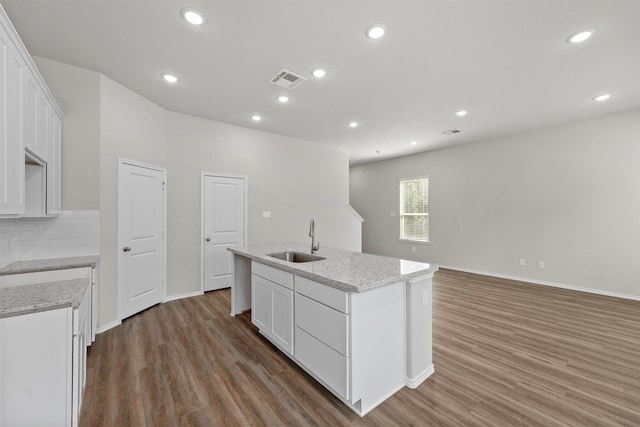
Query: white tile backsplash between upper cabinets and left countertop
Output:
(72,233)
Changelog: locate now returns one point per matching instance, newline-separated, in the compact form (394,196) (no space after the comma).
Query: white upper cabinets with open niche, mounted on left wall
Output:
(30,123)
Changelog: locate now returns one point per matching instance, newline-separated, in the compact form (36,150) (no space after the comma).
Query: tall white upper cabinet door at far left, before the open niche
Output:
(12,120)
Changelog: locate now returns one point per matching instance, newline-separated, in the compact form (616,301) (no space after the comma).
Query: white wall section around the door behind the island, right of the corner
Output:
(293,179)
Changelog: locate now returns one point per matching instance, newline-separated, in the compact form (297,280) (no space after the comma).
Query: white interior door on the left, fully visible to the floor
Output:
(141,224)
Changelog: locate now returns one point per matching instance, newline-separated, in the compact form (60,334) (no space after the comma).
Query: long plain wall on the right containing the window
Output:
(567,195)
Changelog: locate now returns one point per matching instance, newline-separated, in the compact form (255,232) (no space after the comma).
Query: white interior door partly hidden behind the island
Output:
(223,227)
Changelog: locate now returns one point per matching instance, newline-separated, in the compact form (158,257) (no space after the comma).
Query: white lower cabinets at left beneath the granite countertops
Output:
(43,363)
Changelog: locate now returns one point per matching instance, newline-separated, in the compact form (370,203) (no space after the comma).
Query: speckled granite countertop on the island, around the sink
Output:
(349,271)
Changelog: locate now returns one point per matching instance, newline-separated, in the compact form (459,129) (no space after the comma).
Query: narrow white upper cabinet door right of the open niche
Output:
(54,166)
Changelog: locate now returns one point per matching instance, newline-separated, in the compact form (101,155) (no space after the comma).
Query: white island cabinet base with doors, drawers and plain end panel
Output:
(353,343)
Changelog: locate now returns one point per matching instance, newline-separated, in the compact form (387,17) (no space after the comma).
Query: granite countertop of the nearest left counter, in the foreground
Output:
(25,299)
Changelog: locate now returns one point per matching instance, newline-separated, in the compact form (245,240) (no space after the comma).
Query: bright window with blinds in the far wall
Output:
(414,209)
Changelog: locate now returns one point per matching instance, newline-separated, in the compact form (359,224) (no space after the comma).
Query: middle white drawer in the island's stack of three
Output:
(324,323)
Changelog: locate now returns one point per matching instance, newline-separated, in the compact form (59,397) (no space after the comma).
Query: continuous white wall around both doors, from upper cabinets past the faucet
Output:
(294,179)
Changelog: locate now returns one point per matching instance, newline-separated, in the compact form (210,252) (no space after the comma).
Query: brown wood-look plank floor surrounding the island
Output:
(506,353)
